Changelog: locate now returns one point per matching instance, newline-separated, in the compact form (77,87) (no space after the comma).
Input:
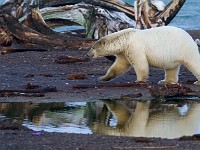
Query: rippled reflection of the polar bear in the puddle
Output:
(173,123)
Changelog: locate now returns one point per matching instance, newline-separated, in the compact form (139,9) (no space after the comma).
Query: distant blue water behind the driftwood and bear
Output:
(187,18)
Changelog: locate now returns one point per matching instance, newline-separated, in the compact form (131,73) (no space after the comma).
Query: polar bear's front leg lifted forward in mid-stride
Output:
(119,67)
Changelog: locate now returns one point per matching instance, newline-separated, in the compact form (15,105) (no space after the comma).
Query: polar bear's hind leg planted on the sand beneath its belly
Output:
(171,76)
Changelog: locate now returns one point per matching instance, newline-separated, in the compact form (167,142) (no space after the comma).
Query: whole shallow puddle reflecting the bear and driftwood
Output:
(121,118)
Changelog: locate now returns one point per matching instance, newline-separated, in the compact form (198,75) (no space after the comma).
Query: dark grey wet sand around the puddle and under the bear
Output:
(75,79)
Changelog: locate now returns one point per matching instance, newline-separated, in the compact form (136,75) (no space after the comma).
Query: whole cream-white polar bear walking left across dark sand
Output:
(164,47)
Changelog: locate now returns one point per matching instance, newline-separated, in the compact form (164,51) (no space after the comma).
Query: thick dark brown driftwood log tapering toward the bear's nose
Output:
(23,37)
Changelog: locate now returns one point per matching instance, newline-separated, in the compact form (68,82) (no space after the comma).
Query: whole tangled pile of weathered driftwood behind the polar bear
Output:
(27,24)
